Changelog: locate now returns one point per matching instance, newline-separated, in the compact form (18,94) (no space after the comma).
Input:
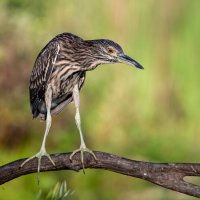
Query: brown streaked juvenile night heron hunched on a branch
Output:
(58,76)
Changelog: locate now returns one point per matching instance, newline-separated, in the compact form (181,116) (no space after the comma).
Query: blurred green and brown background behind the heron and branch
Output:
(150,115)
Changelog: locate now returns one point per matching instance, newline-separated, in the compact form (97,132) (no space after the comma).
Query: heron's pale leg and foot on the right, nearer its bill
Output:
(83,147)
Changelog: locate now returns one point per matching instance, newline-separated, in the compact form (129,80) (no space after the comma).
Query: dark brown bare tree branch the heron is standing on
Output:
(168,175)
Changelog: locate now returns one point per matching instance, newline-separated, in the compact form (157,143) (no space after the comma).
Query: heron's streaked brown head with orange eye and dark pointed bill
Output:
(107,51)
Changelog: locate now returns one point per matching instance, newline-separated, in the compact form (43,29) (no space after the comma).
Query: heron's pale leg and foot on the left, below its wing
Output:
(42,152)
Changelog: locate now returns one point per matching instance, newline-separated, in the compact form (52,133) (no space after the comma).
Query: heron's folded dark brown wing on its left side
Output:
(41,73)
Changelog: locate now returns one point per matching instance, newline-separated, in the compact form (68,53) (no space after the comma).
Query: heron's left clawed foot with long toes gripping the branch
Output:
(39,155)
